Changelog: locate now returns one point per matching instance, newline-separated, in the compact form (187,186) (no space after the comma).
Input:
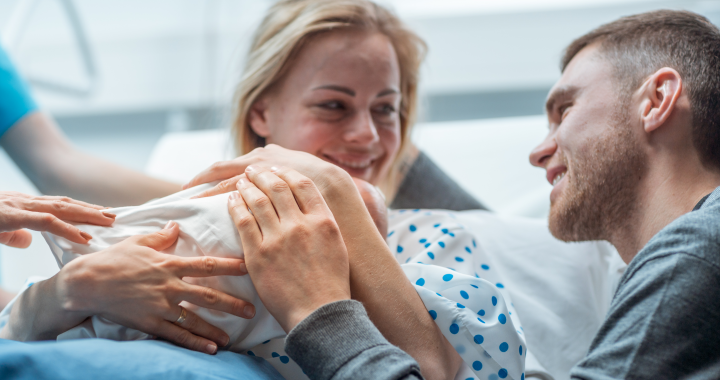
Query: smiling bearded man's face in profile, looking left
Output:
(591,154)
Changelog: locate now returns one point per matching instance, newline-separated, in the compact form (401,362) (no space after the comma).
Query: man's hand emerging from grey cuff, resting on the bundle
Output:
(293,248)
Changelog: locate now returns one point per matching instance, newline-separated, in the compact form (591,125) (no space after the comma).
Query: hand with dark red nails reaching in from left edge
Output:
(52,214)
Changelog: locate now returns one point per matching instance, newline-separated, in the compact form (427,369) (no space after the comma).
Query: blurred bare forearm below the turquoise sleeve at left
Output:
(45,155)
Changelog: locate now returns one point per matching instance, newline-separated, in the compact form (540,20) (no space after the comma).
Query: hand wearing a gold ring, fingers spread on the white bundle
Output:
(134,285)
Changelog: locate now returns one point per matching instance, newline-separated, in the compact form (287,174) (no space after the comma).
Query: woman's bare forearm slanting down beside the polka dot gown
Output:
(377,280)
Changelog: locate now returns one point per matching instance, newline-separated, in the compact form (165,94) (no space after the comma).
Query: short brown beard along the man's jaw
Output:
(601,191)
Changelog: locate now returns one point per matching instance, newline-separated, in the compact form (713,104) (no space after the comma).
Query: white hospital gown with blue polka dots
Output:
(461,291)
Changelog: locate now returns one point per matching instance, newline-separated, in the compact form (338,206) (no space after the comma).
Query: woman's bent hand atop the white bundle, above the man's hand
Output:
(272,155)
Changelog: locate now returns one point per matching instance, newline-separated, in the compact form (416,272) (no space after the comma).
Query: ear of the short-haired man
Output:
(660,94)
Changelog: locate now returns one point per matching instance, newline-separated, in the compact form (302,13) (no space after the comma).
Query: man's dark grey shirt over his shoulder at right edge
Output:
(664,321)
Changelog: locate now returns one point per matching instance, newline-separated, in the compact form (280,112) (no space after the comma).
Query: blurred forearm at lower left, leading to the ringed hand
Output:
(38,314)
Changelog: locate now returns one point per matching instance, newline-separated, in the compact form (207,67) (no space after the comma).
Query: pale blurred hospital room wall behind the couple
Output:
(171,65)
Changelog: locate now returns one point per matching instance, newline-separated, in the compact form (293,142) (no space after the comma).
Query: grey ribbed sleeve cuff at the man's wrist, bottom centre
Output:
(338,341)
